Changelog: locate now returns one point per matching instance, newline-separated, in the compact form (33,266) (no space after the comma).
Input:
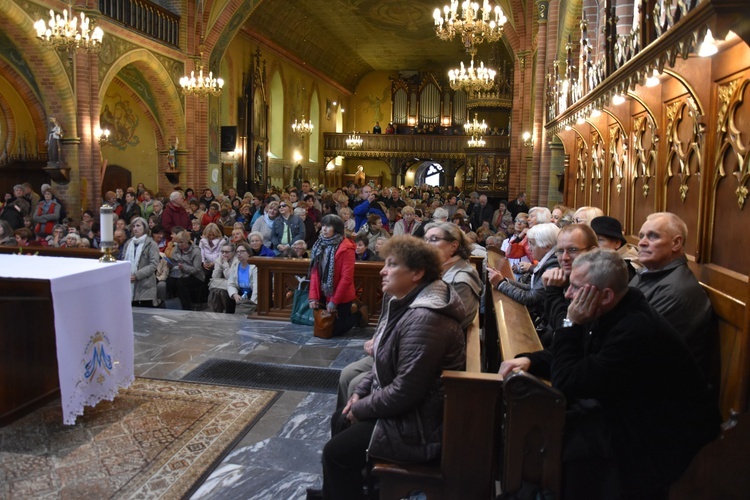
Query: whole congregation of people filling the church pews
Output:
(574,270)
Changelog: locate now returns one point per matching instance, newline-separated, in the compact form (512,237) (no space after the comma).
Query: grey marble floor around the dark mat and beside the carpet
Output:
(280,457)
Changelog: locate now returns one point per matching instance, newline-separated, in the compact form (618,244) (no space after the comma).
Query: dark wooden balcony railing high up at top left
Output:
(145,17)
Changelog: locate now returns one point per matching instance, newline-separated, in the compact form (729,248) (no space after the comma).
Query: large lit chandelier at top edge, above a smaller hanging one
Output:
(474,25)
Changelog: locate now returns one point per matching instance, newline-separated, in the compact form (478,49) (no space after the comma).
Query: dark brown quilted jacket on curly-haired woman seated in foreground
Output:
(422,337)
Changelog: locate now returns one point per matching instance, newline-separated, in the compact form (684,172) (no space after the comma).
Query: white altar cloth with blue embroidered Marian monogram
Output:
(93,325)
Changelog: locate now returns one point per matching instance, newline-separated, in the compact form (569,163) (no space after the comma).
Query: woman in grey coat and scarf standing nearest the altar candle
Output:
(143,254)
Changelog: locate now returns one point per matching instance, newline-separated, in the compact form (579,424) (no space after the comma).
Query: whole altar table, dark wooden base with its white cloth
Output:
(68,315)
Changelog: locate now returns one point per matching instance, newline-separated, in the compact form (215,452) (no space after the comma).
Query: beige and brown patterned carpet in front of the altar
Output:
(155,440)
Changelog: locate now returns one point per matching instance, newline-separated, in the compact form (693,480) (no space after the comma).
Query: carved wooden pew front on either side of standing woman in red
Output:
(278,278)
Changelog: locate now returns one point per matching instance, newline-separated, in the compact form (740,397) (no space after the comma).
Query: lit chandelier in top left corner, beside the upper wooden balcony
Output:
(65,32)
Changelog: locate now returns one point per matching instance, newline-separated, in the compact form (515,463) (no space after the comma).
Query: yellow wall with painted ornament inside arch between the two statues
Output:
(141,158)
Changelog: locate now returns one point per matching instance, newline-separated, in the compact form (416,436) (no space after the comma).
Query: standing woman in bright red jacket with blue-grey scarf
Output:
(332,276)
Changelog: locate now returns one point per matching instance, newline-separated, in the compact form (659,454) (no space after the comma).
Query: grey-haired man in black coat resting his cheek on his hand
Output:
(639,407)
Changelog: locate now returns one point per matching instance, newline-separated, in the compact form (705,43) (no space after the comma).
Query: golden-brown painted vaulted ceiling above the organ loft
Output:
(346,39)
